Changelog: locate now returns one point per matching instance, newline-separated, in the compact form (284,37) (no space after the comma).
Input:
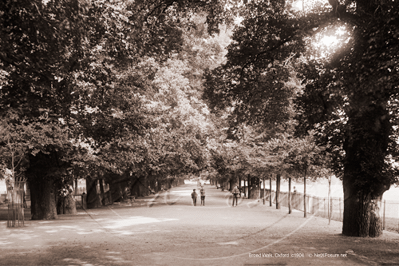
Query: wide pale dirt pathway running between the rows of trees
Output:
(168,230)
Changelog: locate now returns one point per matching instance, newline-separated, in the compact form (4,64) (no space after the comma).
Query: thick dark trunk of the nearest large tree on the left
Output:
(43,196)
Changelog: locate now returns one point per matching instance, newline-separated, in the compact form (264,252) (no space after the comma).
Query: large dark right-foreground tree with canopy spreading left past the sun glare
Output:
(354,88)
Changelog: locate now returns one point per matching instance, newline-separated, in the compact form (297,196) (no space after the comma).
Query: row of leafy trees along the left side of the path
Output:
(104,90)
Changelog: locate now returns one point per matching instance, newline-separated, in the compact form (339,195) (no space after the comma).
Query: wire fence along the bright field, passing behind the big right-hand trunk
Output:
(389,210)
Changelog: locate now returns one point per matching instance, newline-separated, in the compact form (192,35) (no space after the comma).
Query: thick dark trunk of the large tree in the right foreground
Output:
(365,179)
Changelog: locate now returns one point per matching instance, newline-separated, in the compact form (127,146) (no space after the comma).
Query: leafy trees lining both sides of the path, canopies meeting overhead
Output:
(121,91)
